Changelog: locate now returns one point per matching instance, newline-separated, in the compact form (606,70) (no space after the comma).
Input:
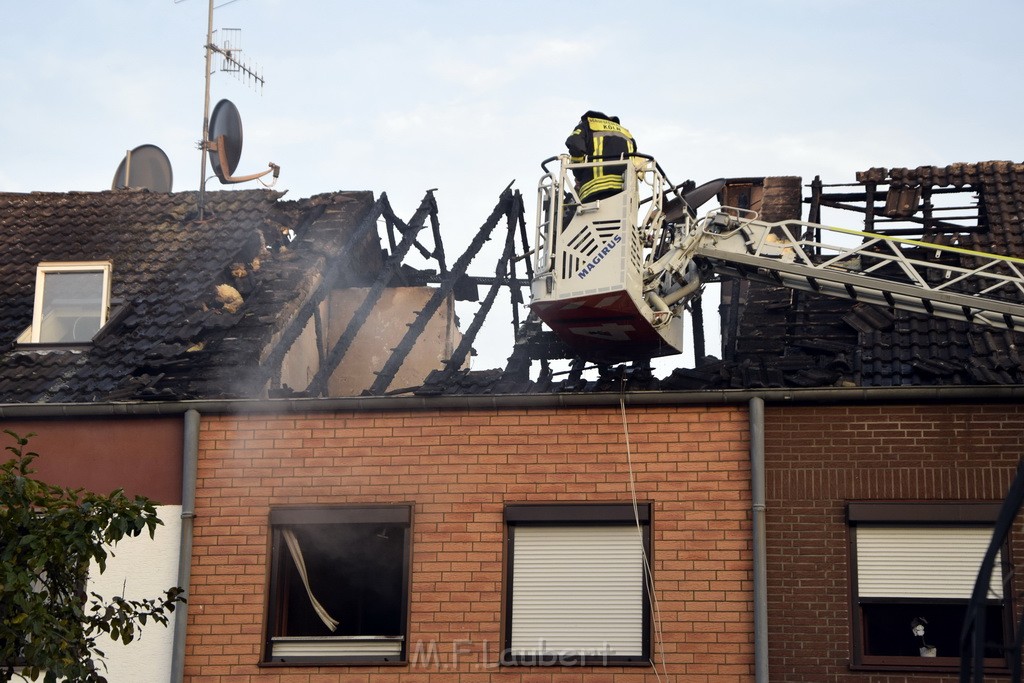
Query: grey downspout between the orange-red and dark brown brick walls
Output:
(757,418)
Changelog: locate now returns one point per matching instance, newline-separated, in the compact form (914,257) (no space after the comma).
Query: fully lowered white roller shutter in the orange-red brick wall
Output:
(578,590)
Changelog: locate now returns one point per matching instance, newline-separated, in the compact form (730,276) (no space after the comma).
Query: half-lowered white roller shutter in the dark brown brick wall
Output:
(923,562)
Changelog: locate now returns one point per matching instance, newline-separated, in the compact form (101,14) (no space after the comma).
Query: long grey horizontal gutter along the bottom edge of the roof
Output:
(818,397)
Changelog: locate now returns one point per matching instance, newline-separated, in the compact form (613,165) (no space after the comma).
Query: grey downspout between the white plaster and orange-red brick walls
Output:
(189,474)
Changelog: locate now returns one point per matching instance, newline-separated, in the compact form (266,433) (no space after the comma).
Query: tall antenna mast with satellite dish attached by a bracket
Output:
(230,122)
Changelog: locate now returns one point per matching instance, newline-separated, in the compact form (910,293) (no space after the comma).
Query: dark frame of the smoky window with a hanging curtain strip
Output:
(392,516)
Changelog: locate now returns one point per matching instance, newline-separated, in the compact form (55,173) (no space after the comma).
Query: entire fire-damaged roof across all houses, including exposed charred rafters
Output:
(233,308)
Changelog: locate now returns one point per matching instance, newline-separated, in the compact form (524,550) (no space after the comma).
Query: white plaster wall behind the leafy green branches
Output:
(143,569)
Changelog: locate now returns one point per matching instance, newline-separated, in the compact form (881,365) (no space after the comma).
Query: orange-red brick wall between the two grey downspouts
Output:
(459,469)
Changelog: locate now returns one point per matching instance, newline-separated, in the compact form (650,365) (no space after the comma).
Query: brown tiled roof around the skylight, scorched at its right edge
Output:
(173,332)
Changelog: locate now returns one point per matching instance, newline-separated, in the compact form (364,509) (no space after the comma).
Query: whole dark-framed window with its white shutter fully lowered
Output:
(577,591)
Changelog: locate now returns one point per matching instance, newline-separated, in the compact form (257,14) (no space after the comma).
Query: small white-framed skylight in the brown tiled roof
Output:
(72,303)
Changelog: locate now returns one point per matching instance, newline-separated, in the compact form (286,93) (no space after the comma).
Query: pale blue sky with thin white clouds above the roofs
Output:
(467,97)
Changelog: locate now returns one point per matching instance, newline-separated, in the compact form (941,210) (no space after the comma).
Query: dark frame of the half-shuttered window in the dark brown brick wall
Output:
(935,515)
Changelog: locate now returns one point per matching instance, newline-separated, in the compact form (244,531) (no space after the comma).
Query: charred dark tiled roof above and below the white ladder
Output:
(796,339)
